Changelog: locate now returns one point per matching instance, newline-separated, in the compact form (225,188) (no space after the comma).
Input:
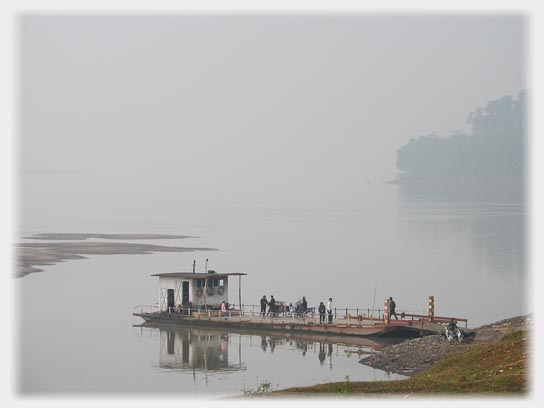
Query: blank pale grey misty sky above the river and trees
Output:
(234,109)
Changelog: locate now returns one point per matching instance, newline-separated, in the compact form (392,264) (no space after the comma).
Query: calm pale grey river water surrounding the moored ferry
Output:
(77,333)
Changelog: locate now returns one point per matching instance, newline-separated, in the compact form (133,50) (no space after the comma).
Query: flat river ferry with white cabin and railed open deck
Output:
(194,299)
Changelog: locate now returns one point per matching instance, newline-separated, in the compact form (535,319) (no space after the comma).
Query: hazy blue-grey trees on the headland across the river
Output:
(487,162)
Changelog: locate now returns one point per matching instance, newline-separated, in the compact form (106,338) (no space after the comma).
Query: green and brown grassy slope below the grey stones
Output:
(486,369)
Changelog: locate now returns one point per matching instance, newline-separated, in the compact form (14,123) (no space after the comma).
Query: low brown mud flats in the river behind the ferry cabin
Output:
(31,255)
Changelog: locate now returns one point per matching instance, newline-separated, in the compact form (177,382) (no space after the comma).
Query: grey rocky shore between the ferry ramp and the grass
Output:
(415,355)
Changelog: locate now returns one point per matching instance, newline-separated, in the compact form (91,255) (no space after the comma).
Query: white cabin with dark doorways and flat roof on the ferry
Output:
(193,290)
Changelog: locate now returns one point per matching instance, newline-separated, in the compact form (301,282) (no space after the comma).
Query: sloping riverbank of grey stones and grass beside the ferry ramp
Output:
(495,363)
